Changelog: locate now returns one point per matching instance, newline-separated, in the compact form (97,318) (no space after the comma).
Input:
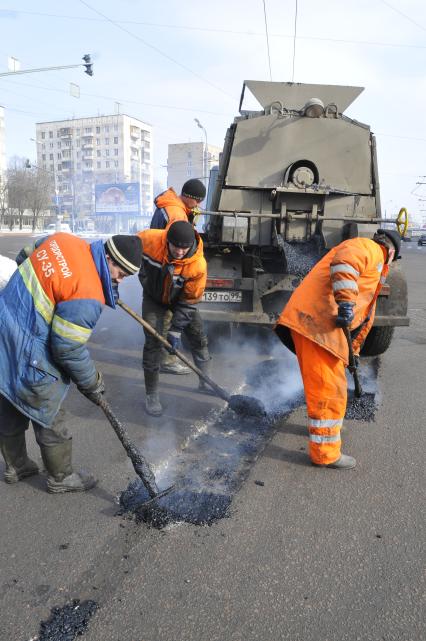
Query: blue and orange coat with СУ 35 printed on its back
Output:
(47,313)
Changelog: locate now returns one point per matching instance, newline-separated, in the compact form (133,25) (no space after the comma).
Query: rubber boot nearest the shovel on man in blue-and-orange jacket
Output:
(61,478)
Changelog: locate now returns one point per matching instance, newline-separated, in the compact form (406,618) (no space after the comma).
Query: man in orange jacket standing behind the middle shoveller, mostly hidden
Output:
(169,208)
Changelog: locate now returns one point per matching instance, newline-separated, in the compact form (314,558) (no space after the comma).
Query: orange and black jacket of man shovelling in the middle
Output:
(179,284)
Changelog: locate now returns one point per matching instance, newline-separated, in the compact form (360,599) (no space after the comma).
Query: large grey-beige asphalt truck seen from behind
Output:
(295,178)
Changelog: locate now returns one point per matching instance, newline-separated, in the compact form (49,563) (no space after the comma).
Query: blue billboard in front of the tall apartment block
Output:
(117,198)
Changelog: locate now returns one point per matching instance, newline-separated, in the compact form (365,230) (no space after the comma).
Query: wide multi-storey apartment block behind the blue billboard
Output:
(84,152)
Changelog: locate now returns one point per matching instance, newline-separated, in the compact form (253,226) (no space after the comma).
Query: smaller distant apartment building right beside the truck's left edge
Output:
(190,160)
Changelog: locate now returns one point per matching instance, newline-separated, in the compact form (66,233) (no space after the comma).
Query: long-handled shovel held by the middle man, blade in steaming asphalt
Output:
(241,404)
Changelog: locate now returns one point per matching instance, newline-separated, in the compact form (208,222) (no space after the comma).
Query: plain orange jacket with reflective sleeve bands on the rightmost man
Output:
(353,271)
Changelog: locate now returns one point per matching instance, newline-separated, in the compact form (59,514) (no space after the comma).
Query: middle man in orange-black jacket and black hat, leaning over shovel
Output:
(173,276)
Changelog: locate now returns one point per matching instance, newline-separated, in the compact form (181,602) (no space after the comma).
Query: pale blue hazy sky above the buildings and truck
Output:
(169,62)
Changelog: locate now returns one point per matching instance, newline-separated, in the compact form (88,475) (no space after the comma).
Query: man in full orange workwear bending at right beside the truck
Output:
(340,291)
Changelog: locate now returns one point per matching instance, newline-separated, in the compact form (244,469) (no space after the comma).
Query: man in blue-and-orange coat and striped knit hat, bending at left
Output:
(48,310)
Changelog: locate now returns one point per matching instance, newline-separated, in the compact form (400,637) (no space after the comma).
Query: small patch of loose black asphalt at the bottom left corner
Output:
(68,622)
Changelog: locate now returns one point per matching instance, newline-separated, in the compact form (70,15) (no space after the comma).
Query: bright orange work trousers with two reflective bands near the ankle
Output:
(324,382)
